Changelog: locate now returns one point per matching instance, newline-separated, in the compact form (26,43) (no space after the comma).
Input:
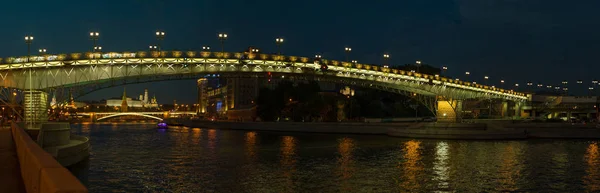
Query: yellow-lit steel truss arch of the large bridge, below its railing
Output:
(85,76)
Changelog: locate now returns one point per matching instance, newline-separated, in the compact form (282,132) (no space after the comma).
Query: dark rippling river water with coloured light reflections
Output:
(141,158)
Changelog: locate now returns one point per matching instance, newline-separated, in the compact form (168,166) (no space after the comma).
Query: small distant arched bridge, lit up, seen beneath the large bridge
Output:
(153,115)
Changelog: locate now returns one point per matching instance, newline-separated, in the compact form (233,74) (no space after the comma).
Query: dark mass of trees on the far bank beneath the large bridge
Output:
(289,101)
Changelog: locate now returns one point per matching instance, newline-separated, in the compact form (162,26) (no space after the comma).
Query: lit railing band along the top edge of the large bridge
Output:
(63,59)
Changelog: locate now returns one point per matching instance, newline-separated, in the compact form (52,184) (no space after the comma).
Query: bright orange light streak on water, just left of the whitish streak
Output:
(412,166)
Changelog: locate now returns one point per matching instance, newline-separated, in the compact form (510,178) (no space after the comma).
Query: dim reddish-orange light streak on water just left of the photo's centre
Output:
(288,161)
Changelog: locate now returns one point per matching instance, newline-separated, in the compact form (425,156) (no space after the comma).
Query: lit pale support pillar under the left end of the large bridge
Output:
(36,108)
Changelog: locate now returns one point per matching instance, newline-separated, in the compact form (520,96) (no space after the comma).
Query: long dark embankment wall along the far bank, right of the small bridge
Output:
(500,130)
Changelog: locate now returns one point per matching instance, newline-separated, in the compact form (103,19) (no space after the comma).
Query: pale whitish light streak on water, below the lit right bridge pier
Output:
(440,165)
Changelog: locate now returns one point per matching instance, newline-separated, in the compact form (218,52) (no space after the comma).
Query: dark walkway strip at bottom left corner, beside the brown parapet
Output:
(10,172)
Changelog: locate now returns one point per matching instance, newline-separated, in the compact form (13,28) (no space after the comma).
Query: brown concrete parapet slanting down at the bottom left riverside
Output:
(40,171)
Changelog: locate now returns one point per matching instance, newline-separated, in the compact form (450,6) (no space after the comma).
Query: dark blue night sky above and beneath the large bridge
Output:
(536,40)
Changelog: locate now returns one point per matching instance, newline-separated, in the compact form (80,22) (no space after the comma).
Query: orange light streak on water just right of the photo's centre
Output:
(345,161)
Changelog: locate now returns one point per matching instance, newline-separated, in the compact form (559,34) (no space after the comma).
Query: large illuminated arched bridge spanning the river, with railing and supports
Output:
(86,72)
